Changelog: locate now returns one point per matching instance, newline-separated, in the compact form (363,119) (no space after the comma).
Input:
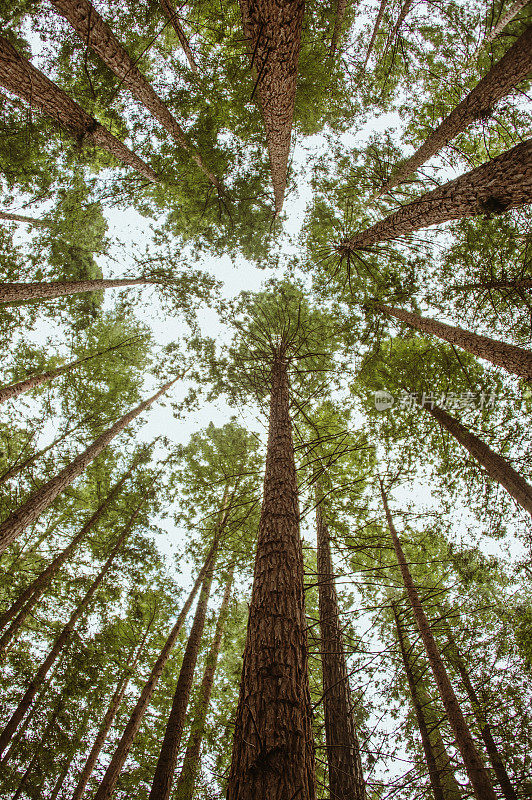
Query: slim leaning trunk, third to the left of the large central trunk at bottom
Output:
(114,769)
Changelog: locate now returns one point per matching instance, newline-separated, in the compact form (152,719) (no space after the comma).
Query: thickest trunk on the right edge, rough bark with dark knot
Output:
(503,183)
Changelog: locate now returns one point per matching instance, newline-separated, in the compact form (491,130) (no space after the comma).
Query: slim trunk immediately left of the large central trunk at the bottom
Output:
(185,786)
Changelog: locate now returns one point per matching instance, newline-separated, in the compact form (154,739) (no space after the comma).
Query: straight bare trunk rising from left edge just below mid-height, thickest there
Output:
(40,500)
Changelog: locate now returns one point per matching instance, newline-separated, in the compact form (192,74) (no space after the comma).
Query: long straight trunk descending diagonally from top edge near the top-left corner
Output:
(96,34)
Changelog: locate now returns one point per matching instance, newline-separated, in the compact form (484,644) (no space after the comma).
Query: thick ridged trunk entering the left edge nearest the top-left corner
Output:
(20,77)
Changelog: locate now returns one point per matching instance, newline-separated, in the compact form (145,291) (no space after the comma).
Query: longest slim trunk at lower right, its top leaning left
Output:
(476,772)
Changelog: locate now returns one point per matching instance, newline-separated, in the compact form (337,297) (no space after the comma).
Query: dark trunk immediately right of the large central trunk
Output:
(346,779)
